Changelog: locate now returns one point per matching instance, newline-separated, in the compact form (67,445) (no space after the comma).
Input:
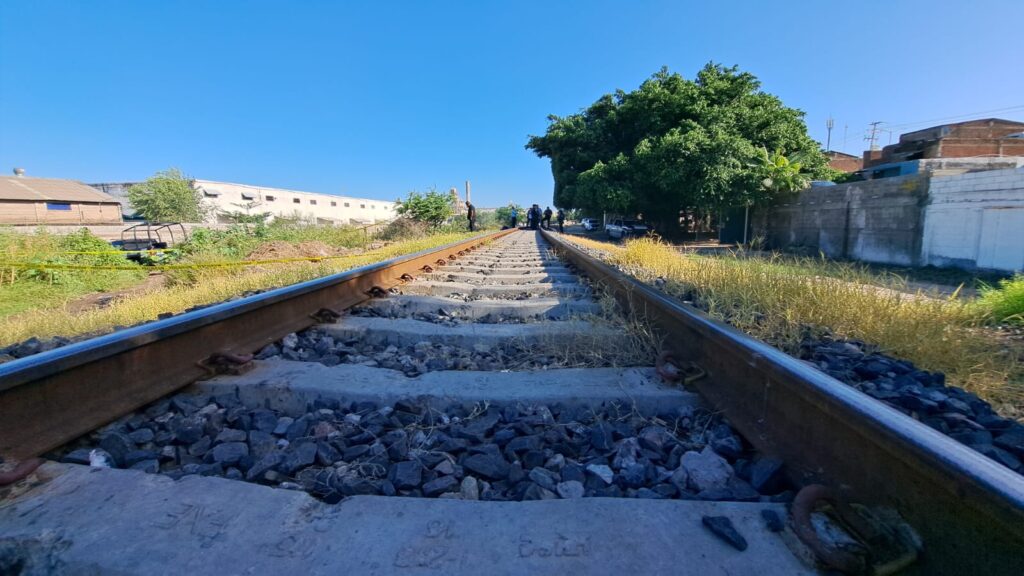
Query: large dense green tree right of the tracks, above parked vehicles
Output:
(676,145)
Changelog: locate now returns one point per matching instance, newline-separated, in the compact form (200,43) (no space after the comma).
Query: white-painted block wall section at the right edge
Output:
(976,221)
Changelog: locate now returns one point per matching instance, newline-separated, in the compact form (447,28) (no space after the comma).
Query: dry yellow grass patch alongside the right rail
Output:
(780,302)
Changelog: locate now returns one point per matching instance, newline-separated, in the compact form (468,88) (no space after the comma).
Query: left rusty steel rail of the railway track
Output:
(52,398)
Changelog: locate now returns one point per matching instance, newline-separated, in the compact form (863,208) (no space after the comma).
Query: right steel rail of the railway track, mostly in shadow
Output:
(968,510)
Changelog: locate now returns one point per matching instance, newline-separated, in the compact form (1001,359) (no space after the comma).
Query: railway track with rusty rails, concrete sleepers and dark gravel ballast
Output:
(518,408)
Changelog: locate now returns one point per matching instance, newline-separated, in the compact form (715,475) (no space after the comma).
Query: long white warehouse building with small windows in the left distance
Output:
(324,209)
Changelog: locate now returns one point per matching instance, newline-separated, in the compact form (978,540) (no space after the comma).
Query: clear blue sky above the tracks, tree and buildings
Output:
(377,99)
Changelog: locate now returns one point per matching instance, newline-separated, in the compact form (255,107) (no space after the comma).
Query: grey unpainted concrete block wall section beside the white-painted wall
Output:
(874,221)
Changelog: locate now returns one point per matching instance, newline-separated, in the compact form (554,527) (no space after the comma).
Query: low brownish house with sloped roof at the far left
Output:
(53,201)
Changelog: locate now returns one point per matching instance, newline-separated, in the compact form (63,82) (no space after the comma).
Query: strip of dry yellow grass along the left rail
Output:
(208,286)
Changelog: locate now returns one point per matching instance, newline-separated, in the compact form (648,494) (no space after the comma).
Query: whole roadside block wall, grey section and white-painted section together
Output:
(973,221)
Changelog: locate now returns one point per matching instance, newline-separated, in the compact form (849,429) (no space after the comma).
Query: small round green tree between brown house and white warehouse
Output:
(168,197)
